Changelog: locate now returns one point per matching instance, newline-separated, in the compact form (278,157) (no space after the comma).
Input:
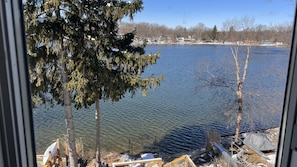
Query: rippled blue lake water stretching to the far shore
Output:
(176,114)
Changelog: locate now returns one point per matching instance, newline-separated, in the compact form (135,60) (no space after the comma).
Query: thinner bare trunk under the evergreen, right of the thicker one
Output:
(97,117)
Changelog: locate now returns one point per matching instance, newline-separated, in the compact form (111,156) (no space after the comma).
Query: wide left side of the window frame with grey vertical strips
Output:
(16,122)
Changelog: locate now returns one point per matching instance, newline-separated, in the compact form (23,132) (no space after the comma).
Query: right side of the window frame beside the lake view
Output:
(287,144)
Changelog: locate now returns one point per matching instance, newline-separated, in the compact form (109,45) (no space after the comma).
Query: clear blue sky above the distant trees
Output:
(189,13)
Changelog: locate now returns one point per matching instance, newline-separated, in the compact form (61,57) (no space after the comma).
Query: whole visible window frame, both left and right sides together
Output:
(17,146)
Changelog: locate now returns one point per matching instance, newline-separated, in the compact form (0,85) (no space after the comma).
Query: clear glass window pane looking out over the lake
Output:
(221,62)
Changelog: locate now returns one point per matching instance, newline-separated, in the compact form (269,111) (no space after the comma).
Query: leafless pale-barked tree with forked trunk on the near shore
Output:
(241,93)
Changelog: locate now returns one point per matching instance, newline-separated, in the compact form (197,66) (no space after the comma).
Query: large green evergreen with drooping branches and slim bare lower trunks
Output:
(77,56)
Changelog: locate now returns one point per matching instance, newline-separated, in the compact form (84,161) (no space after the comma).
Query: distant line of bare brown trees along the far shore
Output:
(235,30)
